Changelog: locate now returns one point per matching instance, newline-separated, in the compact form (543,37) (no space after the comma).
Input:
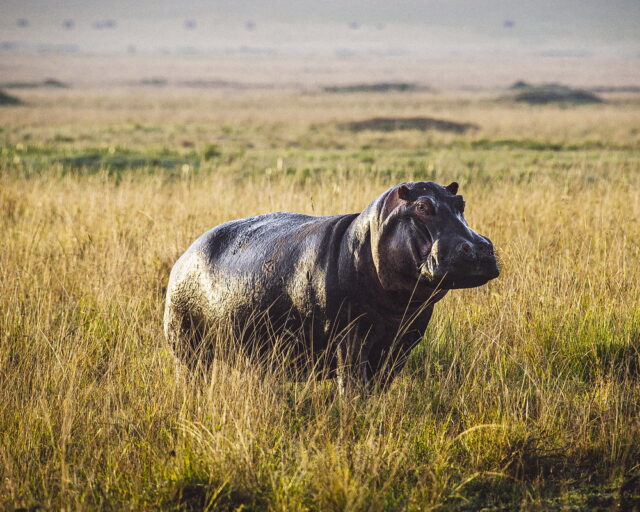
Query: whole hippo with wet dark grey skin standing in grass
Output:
(347,295)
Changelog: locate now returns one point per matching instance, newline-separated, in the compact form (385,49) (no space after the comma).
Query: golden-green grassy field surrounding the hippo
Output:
(524,394)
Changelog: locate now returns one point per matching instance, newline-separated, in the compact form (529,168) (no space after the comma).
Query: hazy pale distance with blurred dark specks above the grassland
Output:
(281,43)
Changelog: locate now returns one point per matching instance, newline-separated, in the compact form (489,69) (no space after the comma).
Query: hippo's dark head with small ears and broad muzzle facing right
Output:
(422,235)
